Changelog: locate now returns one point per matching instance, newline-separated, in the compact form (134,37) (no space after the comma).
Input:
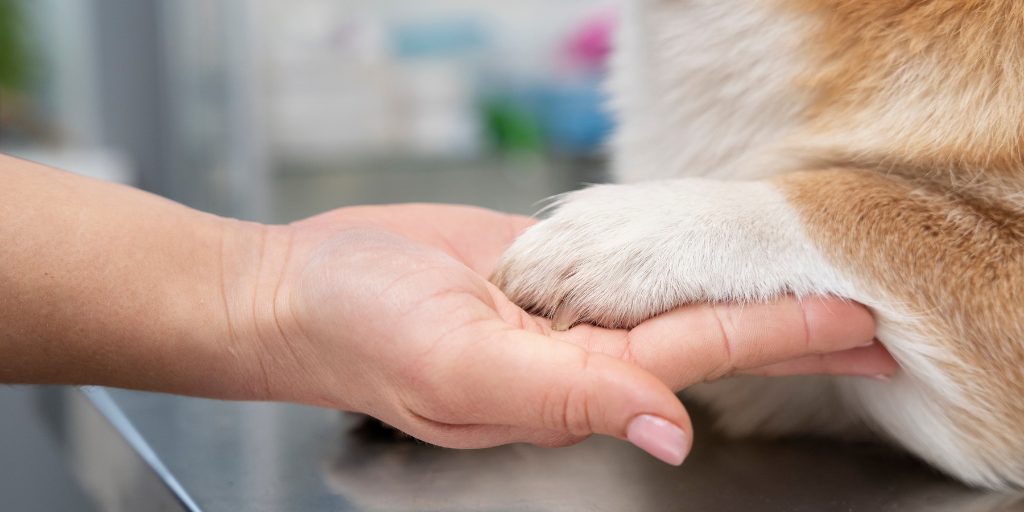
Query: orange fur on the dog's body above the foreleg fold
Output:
(911,82)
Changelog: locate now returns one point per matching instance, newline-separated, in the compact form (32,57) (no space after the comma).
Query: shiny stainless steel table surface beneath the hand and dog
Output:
(138,451)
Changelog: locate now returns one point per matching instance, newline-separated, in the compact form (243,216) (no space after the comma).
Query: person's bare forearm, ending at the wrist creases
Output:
(107,285)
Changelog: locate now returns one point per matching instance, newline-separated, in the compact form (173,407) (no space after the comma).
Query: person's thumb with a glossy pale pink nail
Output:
(528,380)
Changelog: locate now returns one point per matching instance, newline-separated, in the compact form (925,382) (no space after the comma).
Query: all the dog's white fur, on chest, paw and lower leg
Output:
(704,89)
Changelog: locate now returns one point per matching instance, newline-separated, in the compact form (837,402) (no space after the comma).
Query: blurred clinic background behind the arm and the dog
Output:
(277,110)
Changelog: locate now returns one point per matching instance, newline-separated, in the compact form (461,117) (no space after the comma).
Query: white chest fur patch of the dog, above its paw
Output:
(704,89)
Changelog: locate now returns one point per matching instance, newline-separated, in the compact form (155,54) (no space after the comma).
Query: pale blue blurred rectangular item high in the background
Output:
(438,38)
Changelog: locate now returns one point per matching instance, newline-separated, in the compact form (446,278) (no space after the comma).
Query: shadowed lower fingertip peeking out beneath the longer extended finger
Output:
(873,362)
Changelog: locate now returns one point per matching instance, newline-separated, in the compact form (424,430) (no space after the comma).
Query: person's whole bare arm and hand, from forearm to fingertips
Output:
(383,311)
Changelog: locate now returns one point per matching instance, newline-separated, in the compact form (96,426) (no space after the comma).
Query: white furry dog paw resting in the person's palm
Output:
(617,255)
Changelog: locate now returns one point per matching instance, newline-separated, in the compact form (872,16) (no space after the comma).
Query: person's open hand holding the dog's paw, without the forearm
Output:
(386,311)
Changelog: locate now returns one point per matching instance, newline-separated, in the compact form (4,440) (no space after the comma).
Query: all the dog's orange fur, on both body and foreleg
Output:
(929,96)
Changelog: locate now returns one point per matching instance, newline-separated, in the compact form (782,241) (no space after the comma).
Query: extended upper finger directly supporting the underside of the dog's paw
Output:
(706,343)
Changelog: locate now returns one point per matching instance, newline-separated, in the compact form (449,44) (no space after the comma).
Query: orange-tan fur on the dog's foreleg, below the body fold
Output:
(962,267)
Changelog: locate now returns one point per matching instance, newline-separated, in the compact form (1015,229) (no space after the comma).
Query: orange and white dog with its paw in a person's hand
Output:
(867,150)
